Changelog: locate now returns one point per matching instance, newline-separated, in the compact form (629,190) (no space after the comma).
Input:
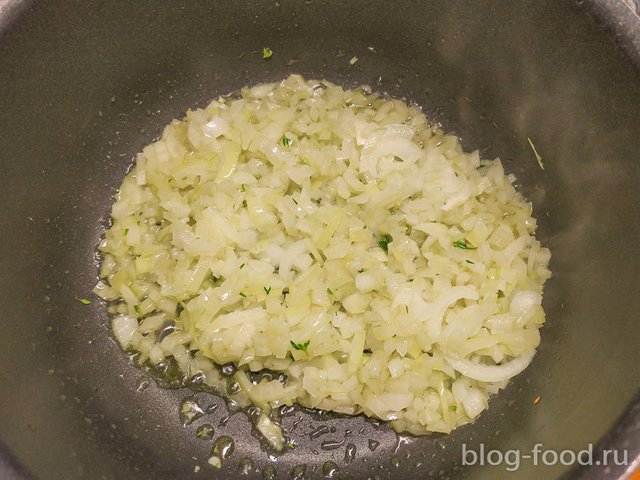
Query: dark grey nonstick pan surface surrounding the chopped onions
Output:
(85,85)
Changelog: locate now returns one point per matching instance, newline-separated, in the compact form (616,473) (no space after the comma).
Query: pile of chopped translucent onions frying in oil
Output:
(334,236)
